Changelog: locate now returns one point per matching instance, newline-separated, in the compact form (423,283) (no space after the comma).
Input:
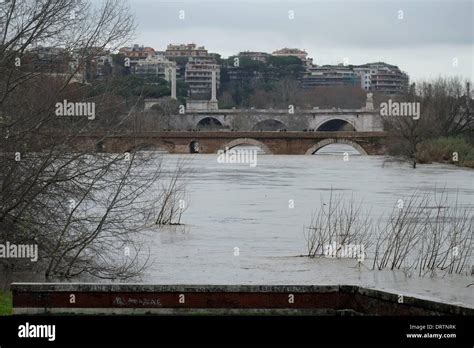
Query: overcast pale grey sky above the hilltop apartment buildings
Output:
(428,41)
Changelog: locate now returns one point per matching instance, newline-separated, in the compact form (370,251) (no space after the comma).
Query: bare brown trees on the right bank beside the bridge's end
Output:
(446,111)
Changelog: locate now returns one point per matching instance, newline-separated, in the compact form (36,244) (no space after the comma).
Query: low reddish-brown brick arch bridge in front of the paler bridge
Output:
(296,143)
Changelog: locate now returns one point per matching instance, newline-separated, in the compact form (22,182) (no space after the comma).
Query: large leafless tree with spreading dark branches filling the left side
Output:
(84,210)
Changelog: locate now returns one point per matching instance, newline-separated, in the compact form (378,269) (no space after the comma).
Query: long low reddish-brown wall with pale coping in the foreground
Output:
(86,298)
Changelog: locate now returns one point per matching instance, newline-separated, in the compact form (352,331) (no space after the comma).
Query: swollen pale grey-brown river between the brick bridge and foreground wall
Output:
(245,224)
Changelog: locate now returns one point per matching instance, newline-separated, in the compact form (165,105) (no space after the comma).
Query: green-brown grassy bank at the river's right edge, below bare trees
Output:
(454,150)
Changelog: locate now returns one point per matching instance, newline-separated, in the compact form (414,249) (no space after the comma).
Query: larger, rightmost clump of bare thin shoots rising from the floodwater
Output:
(427,235)
